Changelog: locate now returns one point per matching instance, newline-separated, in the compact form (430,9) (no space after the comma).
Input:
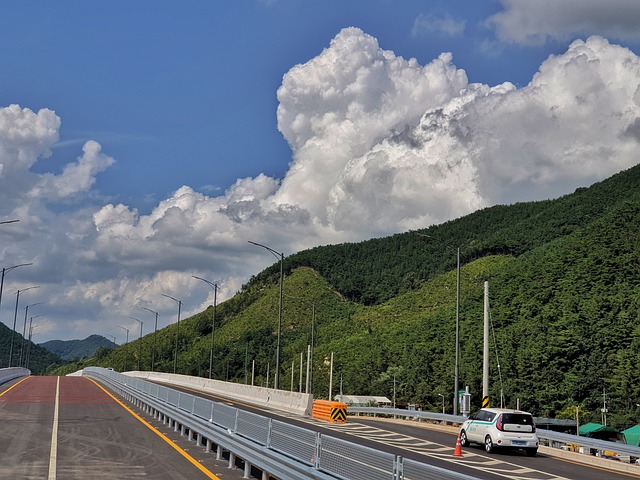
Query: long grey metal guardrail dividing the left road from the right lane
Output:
(277,448)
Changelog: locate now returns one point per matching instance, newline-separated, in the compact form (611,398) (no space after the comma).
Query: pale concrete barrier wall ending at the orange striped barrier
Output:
(290,402)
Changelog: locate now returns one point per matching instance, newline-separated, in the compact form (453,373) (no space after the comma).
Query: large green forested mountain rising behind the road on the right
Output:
(565,311)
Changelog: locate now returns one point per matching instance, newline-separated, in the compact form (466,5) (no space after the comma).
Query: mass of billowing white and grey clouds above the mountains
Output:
(380,145)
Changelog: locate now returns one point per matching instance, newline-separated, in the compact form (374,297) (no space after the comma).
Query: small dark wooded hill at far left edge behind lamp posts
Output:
(25,354)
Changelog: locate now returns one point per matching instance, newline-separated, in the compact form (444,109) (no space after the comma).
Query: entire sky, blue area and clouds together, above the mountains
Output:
(145,142)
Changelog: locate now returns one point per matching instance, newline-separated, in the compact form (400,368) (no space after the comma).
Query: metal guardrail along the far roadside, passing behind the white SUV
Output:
(549,435)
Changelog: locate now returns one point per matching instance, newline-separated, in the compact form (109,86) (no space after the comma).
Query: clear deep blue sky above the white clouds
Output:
(185,92)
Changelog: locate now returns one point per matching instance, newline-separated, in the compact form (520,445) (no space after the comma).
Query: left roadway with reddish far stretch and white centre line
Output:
(96,437)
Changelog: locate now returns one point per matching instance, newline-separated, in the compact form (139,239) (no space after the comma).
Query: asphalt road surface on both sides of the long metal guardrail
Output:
(71,428)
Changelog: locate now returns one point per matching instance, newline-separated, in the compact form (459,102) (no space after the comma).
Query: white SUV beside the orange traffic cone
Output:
(498,427)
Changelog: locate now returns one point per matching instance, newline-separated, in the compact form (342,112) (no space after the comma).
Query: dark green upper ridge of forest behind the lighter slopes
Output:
(373,271)
